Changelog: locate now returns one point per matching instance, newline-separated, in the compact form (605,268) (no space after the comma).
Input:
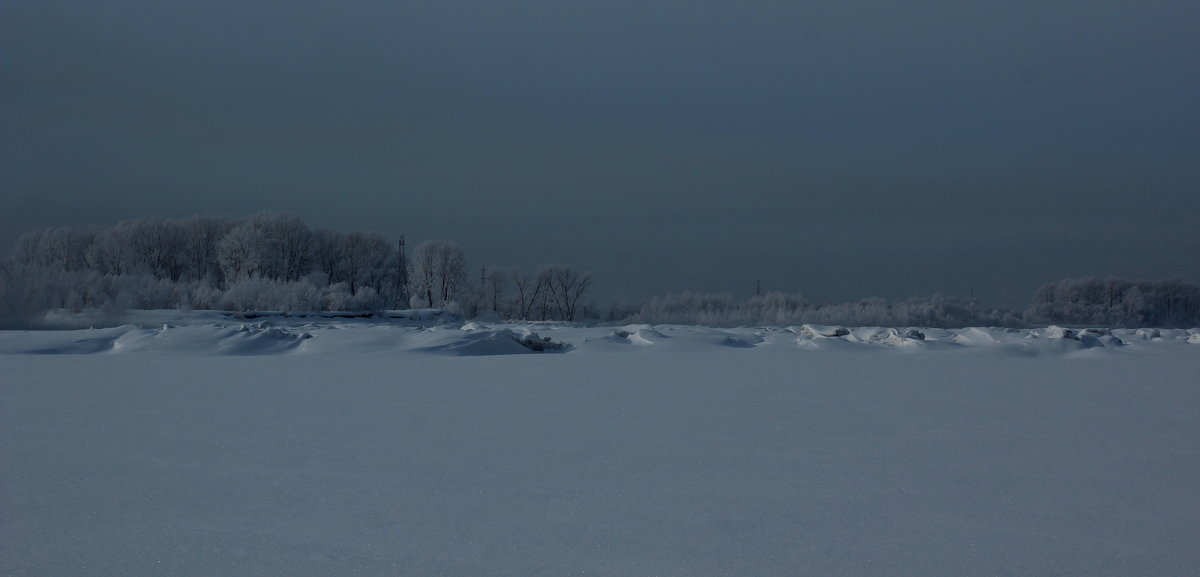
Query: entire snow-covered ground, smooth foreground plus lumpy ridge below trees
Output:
(200,444)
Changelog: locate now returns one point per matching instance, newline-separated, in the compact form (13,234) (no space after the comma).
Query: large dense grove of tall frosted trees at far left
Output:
(266,261)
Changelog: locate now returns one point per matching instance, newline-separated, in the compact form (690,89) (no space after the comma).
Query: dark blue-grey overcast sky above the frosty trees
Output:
(839,149)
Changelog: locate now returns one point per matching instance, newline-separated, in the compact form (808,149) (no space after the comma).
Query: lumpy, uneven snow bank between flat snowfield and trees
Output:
(427,332)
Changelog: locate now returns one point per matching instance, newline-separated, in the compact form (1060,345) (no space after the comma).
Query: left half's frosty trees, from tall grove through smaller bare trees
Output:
(267,262)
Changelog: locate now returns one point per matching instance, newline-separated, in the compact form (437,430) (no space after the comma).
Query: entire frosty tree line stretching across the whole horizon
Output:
(273,262)
